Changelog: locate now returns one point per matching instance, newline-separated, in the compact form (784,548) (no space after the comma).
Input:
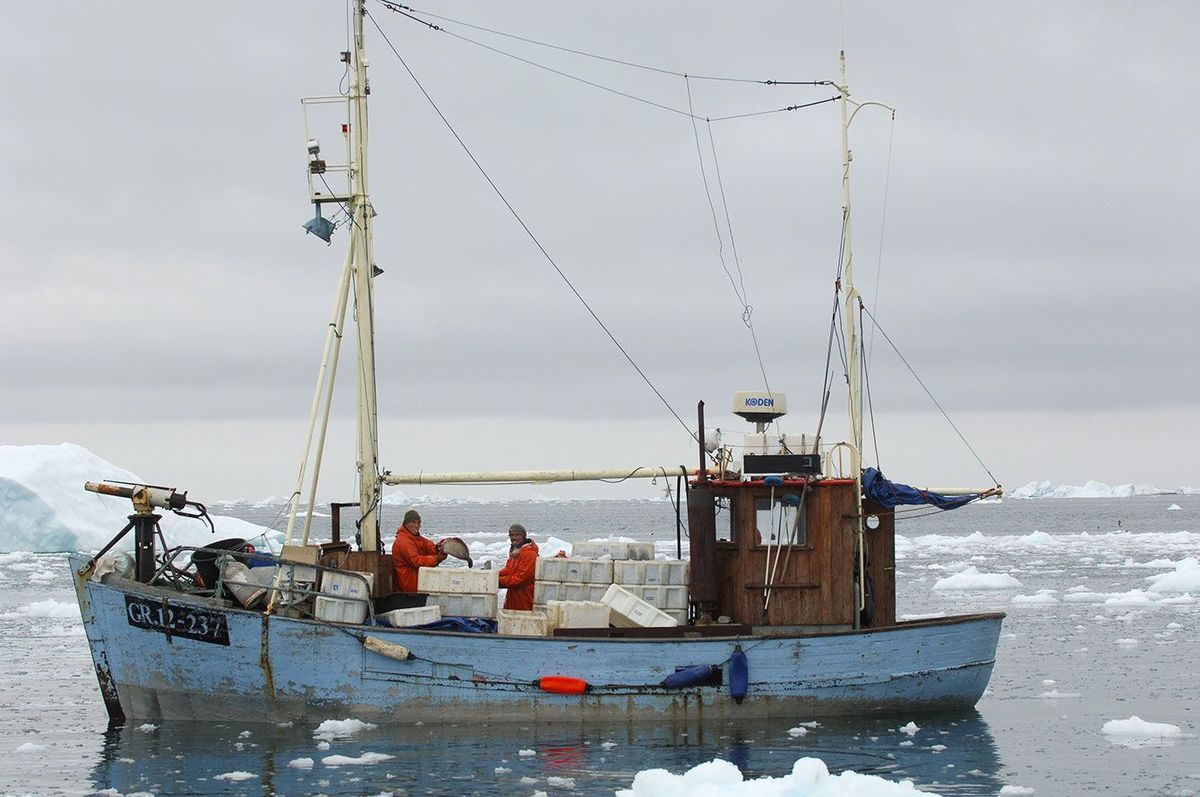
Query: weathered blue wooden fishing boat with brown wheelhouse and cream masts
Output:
(790,577)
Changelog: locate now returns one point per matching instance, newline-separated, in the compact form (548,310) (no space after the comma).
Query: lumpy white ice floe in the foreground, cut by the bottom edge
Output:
(808,777)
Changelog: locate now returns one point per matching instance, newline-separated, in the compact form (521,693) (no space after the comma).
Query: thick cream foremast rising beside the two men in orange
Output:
(364,295)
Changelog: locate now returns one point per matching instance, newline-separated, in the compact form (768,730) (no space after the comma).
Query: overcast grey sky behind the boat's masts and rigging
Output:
(163,307)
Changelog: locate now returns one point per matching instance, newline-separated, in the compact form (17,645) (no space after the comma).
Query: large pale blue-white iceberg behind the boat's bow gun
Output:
(45,510)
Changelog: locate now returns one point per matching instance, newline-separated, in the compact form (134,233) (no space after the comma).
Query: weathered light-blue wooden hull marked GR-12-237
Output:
(278,669)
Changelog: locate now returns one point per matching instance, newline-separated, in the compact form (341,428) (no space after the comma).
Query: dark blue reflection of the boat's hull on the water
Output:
(951,757)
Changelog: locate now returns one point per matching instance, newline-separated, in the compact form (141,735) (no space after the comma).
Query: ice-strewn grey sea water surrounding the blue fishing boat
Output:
(1085,643)
